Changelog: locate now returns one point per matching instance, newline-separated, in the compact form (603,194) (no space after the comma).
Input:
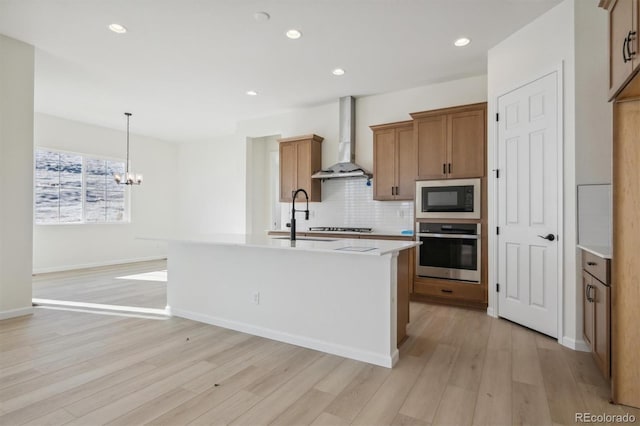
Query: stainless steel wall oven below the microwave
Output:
(449,250)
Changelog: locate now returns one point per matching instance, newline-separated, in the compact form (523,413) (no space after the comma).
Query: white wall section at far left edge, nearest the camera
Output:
(16,176)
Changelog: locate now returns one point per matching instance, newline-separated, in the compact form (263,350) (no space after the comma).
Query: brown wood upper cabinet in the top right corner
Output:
(624,16)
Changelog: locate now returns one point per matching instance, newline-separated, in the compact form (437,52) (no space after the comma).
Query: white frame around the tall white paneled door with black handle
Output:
(493,308)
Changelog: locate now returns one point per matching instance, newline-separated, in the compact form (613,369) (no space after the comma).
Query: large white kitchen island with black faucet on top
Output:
(338,296)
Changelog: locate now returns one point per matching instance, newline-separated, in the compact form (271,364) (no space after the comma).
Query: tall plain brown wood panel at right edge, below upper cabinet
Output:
(625,289)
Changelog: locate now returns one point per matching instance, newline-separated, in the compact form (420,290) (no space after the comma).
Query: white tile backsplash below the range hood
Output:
(349,202)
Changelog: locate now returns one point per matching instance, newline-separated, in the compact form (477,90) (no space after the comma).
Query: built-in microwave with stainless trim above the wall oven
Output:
(448,199)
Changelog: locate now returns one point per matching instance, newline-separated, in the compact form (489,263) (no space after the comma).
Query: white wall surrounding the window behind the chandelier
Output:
(153,207)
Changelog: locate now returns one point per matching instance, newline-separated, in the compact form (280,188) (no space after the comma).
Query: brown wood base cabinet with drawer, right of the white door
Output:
(597,309)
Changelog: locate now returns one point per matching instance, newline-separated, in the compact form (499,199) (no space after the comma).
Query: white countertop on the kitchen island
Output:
(334,245)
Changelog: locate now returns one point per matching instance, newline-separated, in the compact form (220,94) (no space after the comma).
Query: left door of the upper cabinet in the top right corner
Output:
(620,23)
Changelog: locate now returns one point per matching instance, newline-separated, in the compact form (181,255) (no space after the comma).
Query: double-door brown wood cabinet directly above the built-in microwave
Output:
(451,142)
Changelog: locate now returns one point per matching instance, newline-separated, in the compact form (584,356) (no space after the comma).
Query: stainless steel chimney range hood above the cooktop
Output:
(346,166)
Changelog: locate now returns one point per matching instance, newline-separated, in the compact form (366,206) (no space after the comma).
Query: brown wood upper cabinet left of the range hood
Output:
(300,157)
